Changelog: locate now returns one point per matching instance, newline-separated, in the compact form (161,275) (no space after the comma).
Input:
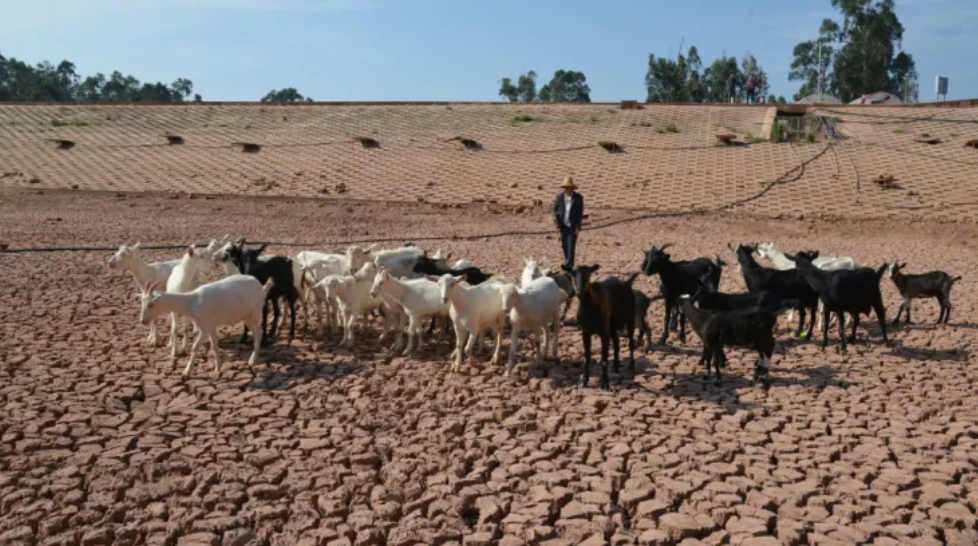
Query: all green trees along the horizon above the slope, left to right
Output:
(862,54)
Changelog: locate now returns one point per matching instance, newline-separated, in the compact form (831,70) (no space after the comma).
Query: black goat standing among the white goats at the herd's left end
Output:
(277,268)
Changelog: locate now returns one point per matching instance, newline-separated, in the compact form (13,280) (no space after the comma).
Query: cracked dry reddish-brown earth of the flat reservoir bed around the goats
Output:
(103,444)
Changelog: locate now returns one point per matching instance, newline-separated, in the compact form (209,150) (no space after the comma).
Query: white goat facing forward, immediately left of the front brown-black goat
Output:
(533,308)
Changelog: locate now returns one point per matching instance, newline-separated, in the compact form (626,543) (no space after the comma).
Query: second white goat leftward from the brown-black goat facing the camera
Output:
(473,310)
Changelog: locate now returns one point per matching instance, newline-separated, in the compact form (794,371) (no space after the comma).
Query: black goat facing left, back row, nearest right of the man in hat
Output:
(677,278)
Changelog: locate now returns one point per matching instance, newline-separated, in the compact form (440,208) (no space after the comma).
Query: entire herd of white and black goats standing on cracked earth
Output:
(405,286)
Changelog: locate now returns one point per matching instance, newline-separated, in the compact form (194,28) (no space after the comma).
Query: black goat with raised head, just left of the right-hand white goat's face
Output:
(787,285)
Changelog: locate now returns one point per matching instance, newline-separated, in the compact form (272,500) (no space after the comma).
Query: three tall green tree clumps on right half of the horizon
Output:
(860,55)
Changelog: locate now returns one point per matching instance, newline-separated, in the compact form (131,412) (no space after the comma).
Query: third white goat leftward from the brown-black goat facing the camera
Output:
(419,299)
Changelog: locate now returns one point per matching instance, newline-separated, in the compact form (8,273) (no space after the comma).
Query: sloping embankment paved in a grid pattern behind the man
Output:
(523,152)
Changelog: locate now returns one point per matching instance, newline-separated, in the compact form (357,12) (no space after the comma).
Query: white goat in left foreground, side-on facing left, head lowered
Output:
(229,301)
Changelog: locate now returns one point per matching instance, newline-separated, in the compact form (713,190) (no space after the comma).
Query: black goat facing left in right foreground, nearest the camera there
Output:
(751,328)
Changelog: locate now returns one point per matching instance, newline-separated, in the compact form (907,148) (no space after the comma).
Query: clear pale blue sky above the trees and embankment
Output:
(457,50)
